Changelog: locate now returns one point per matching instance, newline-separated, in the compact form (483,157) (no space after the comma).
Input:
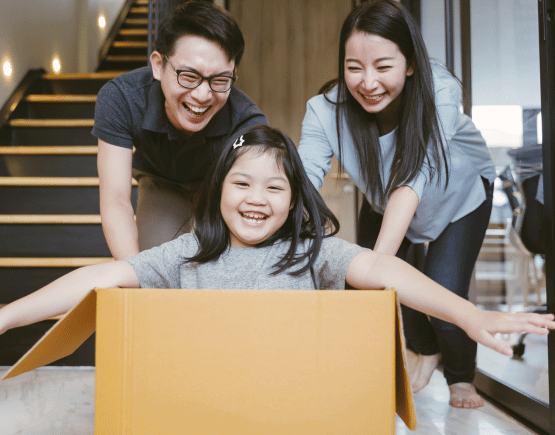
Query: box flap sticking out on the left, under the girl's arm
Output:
(62,339)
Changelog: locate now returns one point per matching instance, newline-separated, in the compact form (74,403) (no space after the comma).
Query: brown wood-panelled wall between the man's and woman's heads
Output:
(291,51)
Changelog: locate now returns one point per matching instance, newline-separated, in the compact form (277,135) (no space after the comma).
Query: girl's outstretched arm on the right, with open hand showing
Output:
(372,270)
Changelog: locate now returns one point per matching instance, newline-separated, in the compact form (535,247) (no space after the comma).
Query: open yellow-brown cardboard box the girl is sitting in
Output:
(238,362)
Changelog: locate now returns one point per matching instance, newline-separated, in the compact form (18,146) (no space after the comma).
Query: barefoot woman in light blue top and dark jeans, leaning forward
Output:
(393,120)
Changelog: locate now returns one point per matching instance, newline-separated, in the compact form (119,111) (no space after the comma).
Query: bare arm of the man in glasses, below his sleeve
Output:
(116,211)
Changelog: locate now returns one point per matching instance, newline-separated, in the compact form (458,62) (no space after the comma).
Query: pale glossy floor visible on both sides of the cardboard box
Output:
(60,401)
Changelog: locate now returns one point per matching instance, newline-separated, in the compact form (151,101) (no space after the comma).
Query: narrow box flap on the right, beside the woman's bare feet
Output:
(404,404)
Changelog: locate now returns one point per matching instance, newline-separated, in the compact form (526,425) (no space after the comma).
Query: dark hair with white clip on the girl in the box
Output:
(309,218)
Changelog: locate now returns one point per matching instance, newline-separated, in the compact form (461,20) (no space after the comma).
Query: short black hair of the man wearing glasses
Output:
(201,18)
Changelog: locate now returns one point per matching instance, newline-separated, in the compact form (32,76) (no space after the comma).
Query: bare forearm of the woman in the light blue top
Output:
(398,214)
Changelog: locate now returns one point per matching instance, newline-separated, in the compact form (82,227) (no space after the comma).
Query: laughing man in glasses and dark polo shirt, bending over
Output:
(177,114)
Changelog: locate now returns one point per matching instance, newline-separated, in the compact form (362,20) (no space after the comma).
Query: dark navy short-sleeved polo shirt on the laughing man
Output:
(130,112)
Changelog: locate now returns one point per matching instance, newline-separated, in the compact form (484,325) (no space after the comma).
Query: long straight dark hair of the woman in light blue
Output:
(418,132)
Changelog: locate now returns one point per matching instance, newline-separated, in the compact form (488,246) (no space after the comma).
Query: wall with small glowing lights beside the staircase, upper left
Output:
(34,32)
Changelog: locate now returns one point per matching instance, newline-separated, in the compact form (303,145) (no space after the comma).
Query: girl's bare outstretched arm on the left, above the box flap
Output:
(63,294)
